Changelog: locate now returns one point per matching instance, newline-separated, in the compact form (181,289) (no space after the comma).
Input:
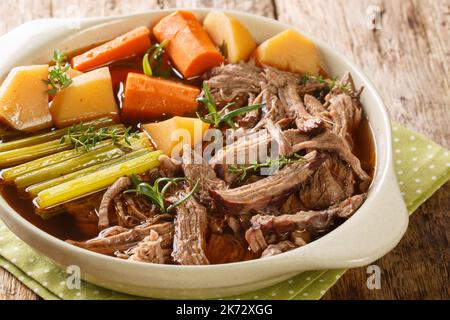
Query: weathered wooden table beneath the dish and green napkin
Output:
(409,62)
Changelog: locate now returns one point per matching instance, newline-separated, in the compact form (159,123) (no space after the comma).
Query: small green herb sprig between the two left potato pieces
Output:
(57,76)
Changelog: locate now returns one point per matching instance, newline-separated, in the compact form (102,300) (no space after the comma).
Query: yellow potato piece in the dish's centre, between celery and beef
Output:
(169,136)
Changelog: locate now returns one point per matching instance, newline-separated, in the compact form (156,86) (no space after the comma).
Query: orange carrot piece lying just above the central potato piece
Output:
(148,98)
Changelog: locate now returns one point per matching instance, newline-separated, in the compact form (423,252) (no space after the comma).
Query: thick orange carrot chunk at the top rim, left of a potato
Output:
(190,47)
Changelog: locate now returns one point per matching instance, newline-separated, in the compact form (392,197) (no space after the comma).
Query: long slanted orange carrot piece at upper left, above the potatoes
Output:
(132,43)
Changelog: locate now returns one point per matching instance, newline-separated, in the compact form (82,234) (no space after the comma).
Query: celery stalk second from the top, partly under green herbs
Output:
(27,154)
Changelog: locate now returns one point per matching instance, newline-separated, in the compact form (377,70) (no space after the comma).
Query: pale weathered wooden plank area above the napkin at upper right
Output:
(406,60)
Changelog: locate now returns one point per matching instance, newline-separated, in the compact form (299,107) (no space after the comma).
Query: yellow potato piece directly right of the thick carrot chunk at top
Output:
(227,31)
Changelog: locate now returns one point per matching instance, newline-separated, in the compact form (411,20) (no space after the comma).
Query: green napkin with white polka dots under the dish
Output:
(422,167)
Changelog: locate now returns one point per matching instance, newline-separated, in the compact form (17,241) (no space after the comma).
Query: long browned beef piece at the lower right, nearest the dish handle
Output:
(311,222)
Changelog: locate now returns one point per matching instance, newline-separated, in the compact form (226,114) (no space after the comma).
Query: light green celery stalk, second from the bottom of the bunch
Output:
(35,189)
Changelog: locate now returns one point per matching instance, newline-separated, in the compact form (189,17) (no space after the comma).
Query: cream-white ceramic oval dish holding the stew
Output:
(372,232)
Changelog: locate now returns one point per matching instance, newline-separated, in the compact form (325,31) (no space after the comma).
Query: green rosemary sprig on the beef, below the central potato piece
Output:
(156,194)
